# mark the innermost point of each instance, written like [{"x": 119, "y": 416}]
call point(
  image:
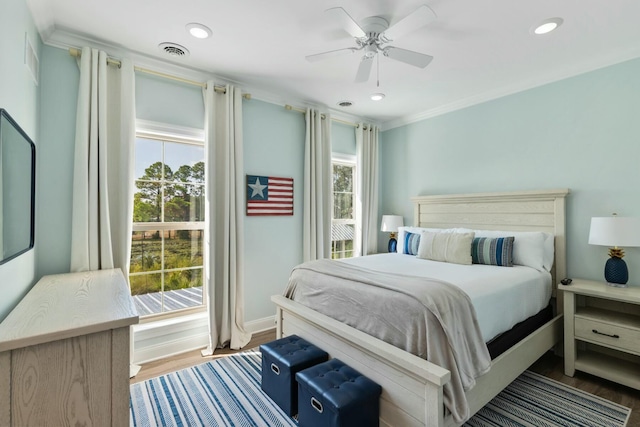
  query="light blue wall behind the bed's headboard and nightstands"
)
[{"x": 582, "y": 133}]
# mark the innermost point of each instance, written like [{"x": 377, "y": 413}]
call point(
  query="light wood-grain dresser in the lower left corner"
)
[{"x": 64, "y": 352}]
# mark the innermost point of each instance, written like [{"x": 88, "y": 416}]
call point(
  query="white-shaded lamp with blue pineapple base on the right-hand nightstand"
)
[{"x": 615, "y": 231}]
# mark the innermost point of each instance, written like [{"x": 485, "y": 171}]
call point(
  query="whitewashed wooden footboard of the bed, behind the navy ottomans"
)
[{"x": 411, "y": 386}]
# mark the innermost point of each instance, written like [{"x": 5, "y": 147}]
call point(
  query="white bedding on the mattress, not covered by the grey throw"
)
[{"x": 501, "y": 296}]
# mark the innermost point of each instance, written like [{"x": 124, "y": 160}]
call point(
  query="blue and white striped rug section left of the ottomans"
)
[{"x": 223, "y": 392}]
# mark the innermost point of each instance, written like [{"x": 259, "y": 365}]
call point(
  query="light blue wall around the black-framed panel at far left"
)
[{"x": 20, "y": 96}]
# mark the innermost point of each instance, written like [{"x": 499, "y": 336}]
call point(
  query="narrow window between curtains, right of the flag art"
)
[{"x": 343, "y": 221}]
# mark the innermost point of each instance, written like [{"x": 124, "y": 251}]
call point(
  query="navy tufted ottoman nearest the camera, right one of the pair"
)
[{"x": 334, "y": 394}]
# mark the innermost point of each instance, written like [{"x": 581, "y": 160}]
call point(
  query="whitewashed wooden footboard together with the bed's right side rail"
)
[{"x": 412, "y": 388}]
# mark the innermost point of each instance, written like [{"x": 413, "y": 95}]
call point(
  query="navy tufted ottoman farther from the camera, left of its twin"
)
[{"x": 281, "y": 359}]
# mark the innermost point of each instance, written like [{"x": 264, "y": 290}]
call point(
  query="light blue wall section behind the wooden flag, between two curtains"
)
[{"x": 273, "y": 146}]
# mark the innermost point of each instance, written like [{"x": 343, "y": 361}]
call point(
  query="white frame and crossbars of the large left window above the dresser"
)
[{"x": 176, "y": 134}]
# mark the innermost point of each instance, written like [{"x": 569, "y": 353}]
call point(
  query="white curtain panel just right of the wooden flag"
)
[{"x": 318, "y": 186}]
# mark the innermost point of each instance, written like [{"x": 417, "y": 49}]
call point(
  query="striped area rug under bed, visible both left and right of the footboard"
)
[{"x": 226, "y": 392}]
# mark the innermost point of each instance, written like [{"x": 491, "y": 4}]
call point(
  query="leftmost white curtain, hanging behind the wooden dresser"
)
[{"x": 102, "y": 186}]
